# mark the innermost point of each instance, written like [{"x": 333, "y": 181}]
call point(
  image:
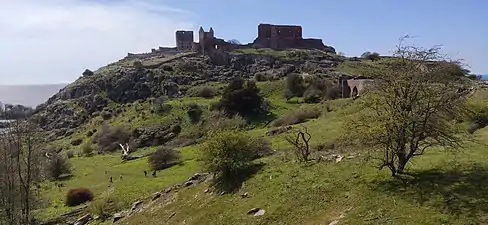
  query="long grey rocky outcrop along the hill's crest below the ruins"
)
[{"x": 122, "y": 82}]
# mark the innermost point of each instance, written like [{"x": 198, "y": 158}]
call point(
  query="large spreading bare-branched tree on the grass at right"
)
[{"x": 412, "y": 106}]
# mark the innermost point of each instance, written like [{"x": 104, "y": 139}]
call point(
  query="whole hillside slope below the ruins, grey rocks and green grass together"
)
[{"x": 337, "y": 187}]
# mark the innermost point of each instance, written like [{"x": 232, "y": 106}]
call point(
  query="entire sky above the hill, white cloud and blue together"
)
[{"x": 54, "y": 41}]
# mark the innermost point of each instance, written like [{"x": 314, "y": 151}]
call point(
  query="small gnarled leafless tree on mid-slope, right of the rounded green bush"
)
[{"x": 299, "y": 139}]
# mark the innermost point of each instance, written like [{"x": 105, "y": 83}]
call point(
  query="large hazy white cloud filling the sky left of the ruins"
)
[{"x": 53, "y": 41}]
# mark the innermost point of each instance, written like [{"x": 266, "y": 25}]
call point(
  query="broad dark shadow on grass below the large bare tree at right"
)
[{"x": 463, "y": 193}]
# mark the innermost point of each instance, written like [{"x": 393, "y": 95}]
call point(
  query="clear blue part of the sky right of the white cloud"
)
[{"x": 354, "y": 26}]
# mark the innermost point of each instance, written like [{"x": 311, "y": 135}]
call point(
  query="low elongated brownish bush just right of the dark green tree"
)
[{"x": 297, "y": 116}]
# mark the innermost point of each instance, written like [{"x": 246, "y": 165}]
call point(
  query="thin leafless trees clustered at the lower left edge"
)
[{"x": 20, "y": 171}]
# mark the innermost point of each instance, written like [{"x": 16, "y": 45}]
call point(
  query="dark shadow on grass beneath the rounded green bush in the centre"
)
[{"x": 231, "y": 183}]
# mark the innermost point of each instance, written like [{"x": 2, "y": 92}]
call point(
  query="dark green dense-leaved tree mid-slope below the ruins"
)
[{"x": 241, "y": 97}]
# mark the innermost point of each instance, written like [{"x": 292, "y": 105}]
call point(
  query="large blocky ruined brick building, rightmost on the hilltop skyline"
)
[{"x": 286, "y": 36}]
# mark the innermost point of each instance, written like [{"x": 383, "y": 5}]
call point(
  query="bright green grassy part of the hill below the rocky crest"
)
[{"x": 444, "y": 187}]
